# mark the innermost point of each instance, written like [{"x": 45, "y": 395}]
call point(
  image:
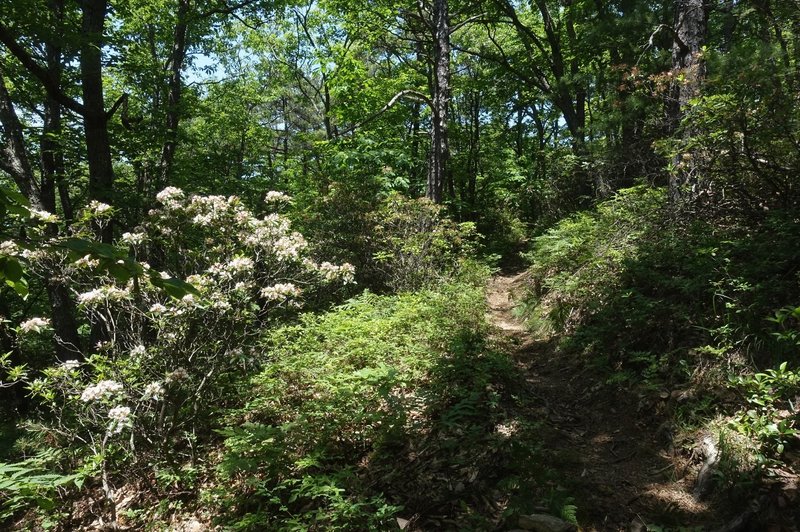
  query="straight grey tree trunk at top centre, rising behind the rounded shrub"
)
[{"x": 440, "y": 149}]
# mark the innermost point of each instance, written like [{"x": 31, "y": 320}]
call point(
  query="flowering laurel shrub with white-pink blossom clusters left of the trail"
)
[{"x": 168, "y": 354}]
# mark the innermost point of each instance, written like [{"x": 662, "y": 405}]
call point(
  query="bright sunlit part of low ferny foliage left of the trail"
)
[{"x": 339, "y": 387}]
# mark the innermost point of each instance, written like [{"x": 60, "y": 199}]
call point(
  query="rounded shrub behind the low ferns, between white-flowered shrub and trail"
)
[{"x": 395, "y": 242}]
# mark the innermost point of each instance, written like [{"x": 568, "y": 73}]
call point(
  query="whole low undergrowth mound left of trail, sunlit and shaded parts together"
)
[{"x": 387, "y": 407}]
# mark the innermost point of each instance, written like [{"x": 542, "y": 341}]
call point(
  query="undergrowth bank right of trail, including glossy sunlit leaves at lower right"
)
[{"x": 670, "y": 301}]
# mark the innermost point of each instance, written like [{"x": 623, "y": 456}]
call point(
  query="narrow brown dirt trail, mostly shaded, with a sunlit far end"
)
[{"x": 604, "y": 441}]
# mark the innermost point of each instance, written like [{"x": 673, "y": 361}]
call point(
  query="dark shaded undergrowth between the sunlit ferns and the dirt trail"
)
[{"x": 472, "y": 461}]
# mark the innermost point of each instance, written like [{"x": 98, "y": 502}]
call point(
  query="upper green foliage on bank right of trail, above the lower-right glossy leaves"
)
[{"x": 653, "y": 295}]
